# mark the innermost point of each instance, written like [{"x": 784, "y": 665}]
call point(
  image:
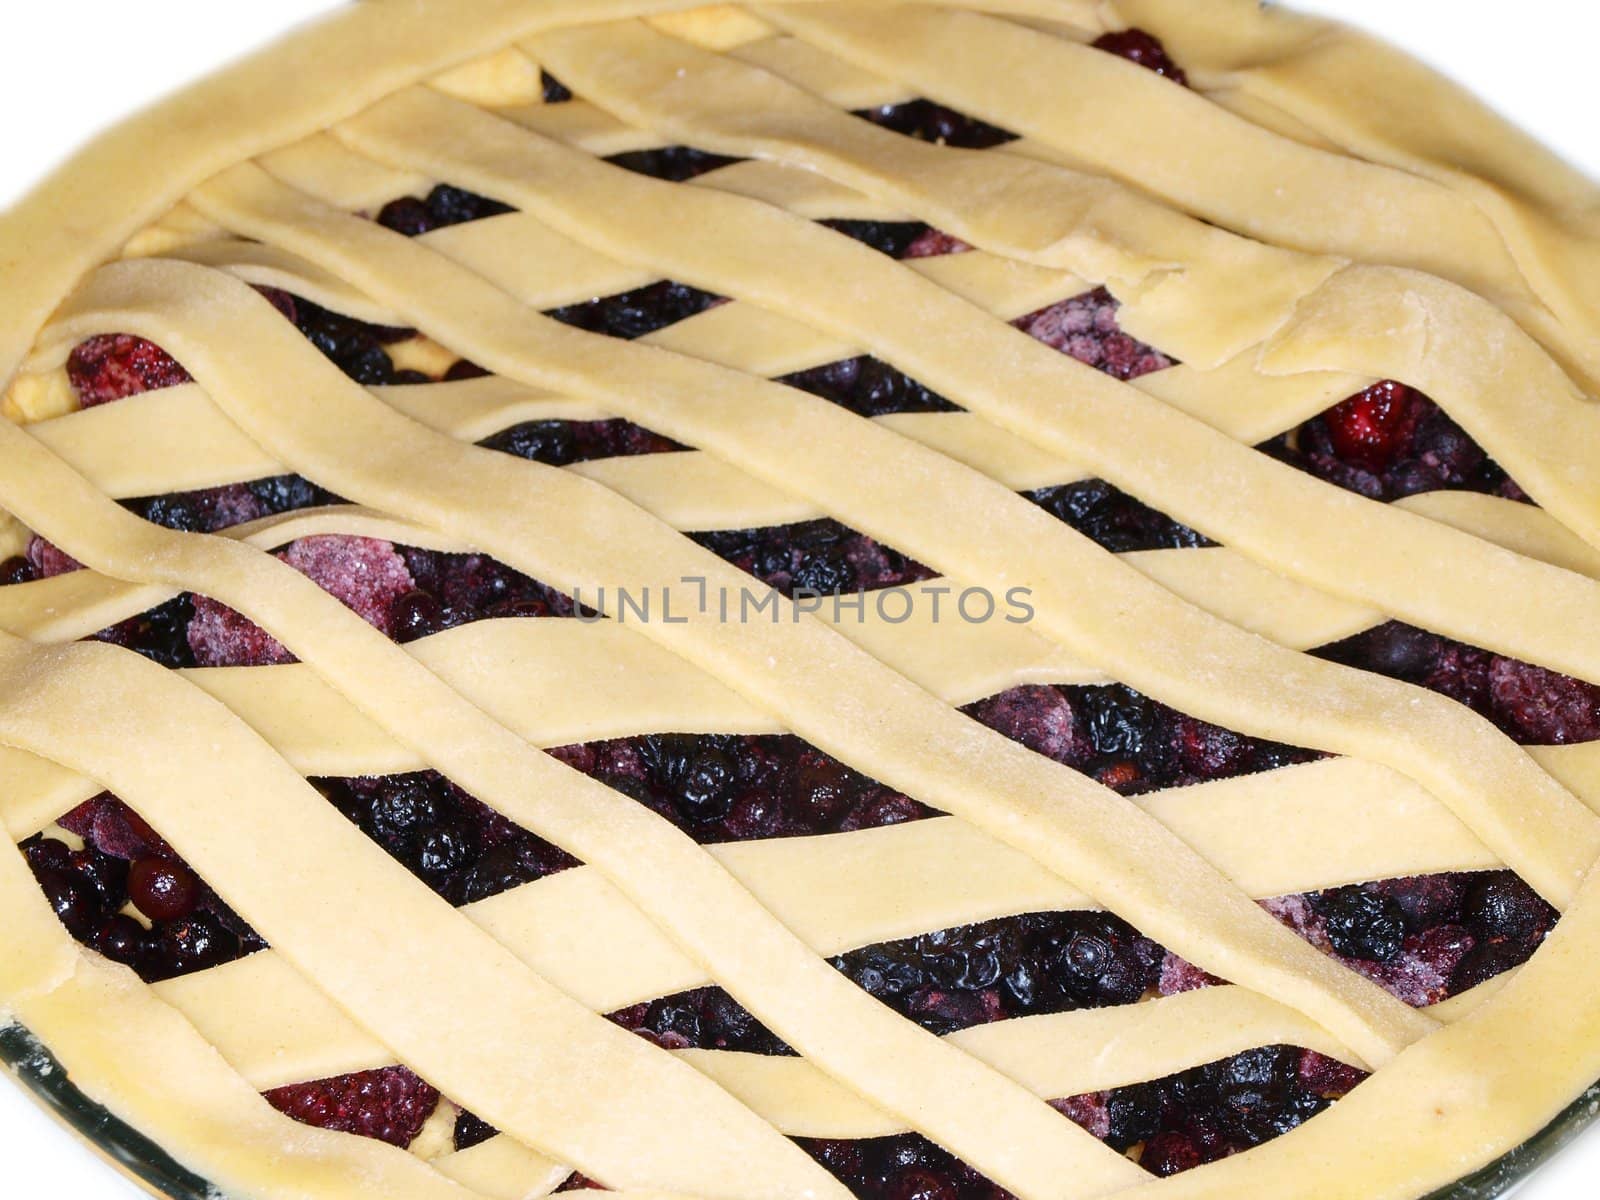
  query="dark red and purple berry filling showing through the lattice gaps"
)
[{"x": 1420, "y": 938}]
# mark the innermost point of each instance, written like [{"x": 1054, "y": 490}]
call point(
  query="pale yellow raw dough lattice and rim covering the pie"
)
[{"x": 1279, "y": 230}]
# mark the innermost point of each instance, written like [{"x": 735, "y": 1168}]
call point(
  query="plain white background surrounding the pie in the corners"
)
[{"x": 73, "y": 66}]
